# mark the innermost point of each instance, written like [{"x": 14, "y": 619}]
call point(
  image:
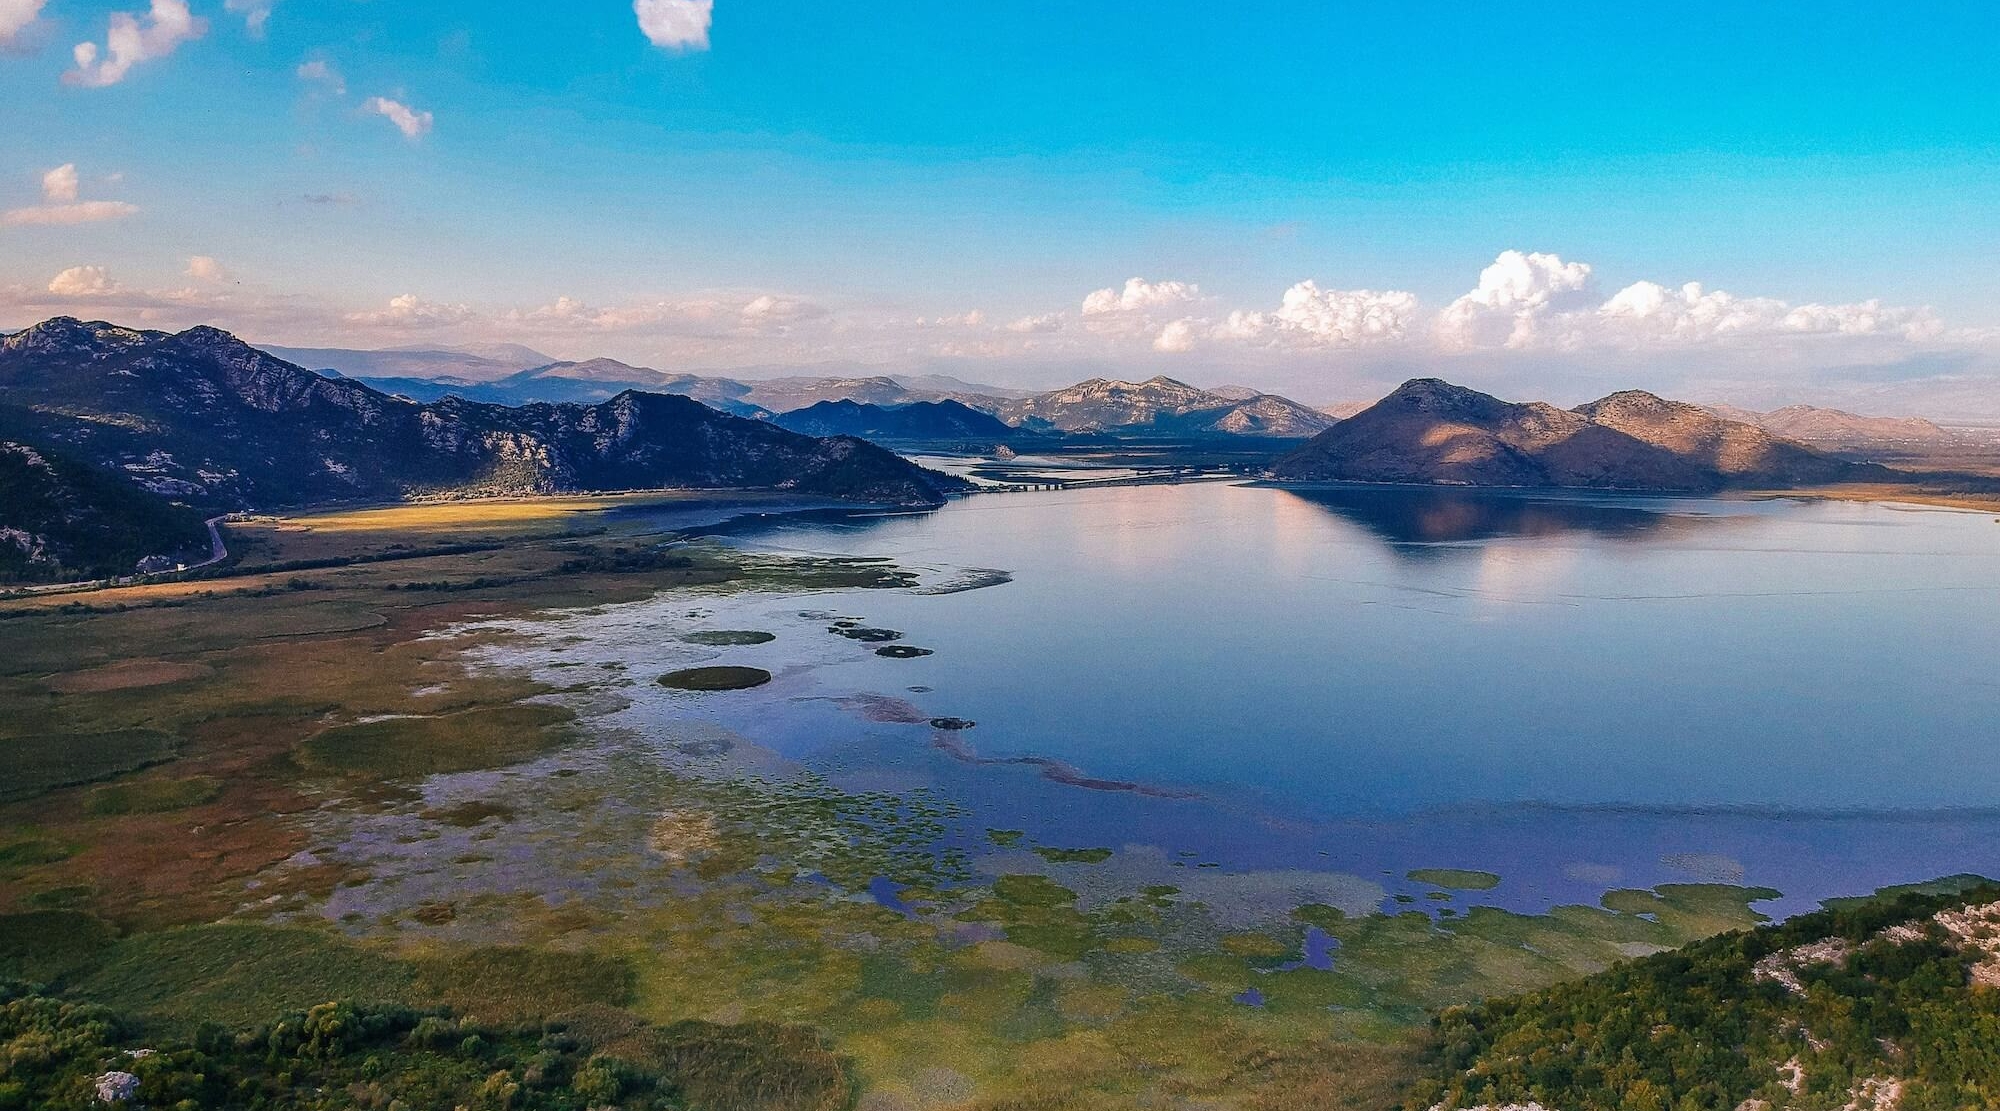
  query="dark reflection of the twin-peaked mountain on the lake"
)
[{"x": 1413, "y": 519}]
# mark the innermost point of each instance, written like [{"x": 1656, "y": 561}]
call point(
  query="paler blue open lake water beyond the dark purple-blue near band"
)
[{"x": 1403, "y": 648}]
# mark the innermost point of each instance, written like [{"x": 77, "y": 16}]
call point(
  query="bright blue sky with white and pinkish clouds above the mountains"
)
[{"x": 1757, "y": 203}]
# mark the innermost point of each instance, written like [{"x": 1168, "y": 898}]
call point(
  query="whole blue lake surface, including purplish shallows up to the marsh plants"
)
[{"x": 1571, "y": 690}]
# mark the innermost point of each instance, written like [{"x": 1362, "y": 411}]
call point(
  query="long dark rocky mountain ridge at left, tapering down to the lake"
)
[{"x": 209, "y": 421}]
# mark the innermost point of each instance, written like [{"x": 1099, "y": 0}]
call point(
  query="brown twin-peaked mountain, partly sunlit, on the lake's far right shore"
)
[{"x": 1435, "y": 433}]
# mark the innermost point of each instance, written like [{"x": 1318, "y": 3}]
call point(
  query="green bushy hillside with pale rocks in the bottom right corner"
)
[{"x": 1871, "y": 1006}]
